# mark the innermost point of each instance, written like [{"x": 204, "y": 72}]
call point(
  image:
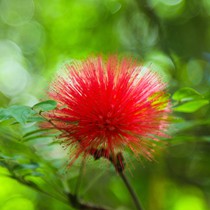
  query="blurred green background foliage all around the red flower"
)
[{"x": 37, "y": 37}]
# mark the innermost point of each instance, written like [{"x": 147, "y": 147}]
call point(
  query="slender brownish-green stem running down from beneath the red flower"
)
[{"x": 131, "y": 191}]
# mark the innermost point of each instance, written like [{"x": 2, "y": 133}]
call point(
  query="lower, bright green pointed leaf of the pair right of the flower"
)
[{"x": 191, "y": 106}]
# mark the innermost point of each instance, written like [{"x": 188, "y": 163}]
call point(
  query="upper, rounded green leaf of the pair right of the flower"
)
[{"x": 186, "y": 94}]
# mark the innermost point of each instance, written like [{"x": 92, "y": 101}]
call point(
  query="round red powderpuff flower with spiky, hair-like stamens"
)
[{"x": 110, "y": 105}]
